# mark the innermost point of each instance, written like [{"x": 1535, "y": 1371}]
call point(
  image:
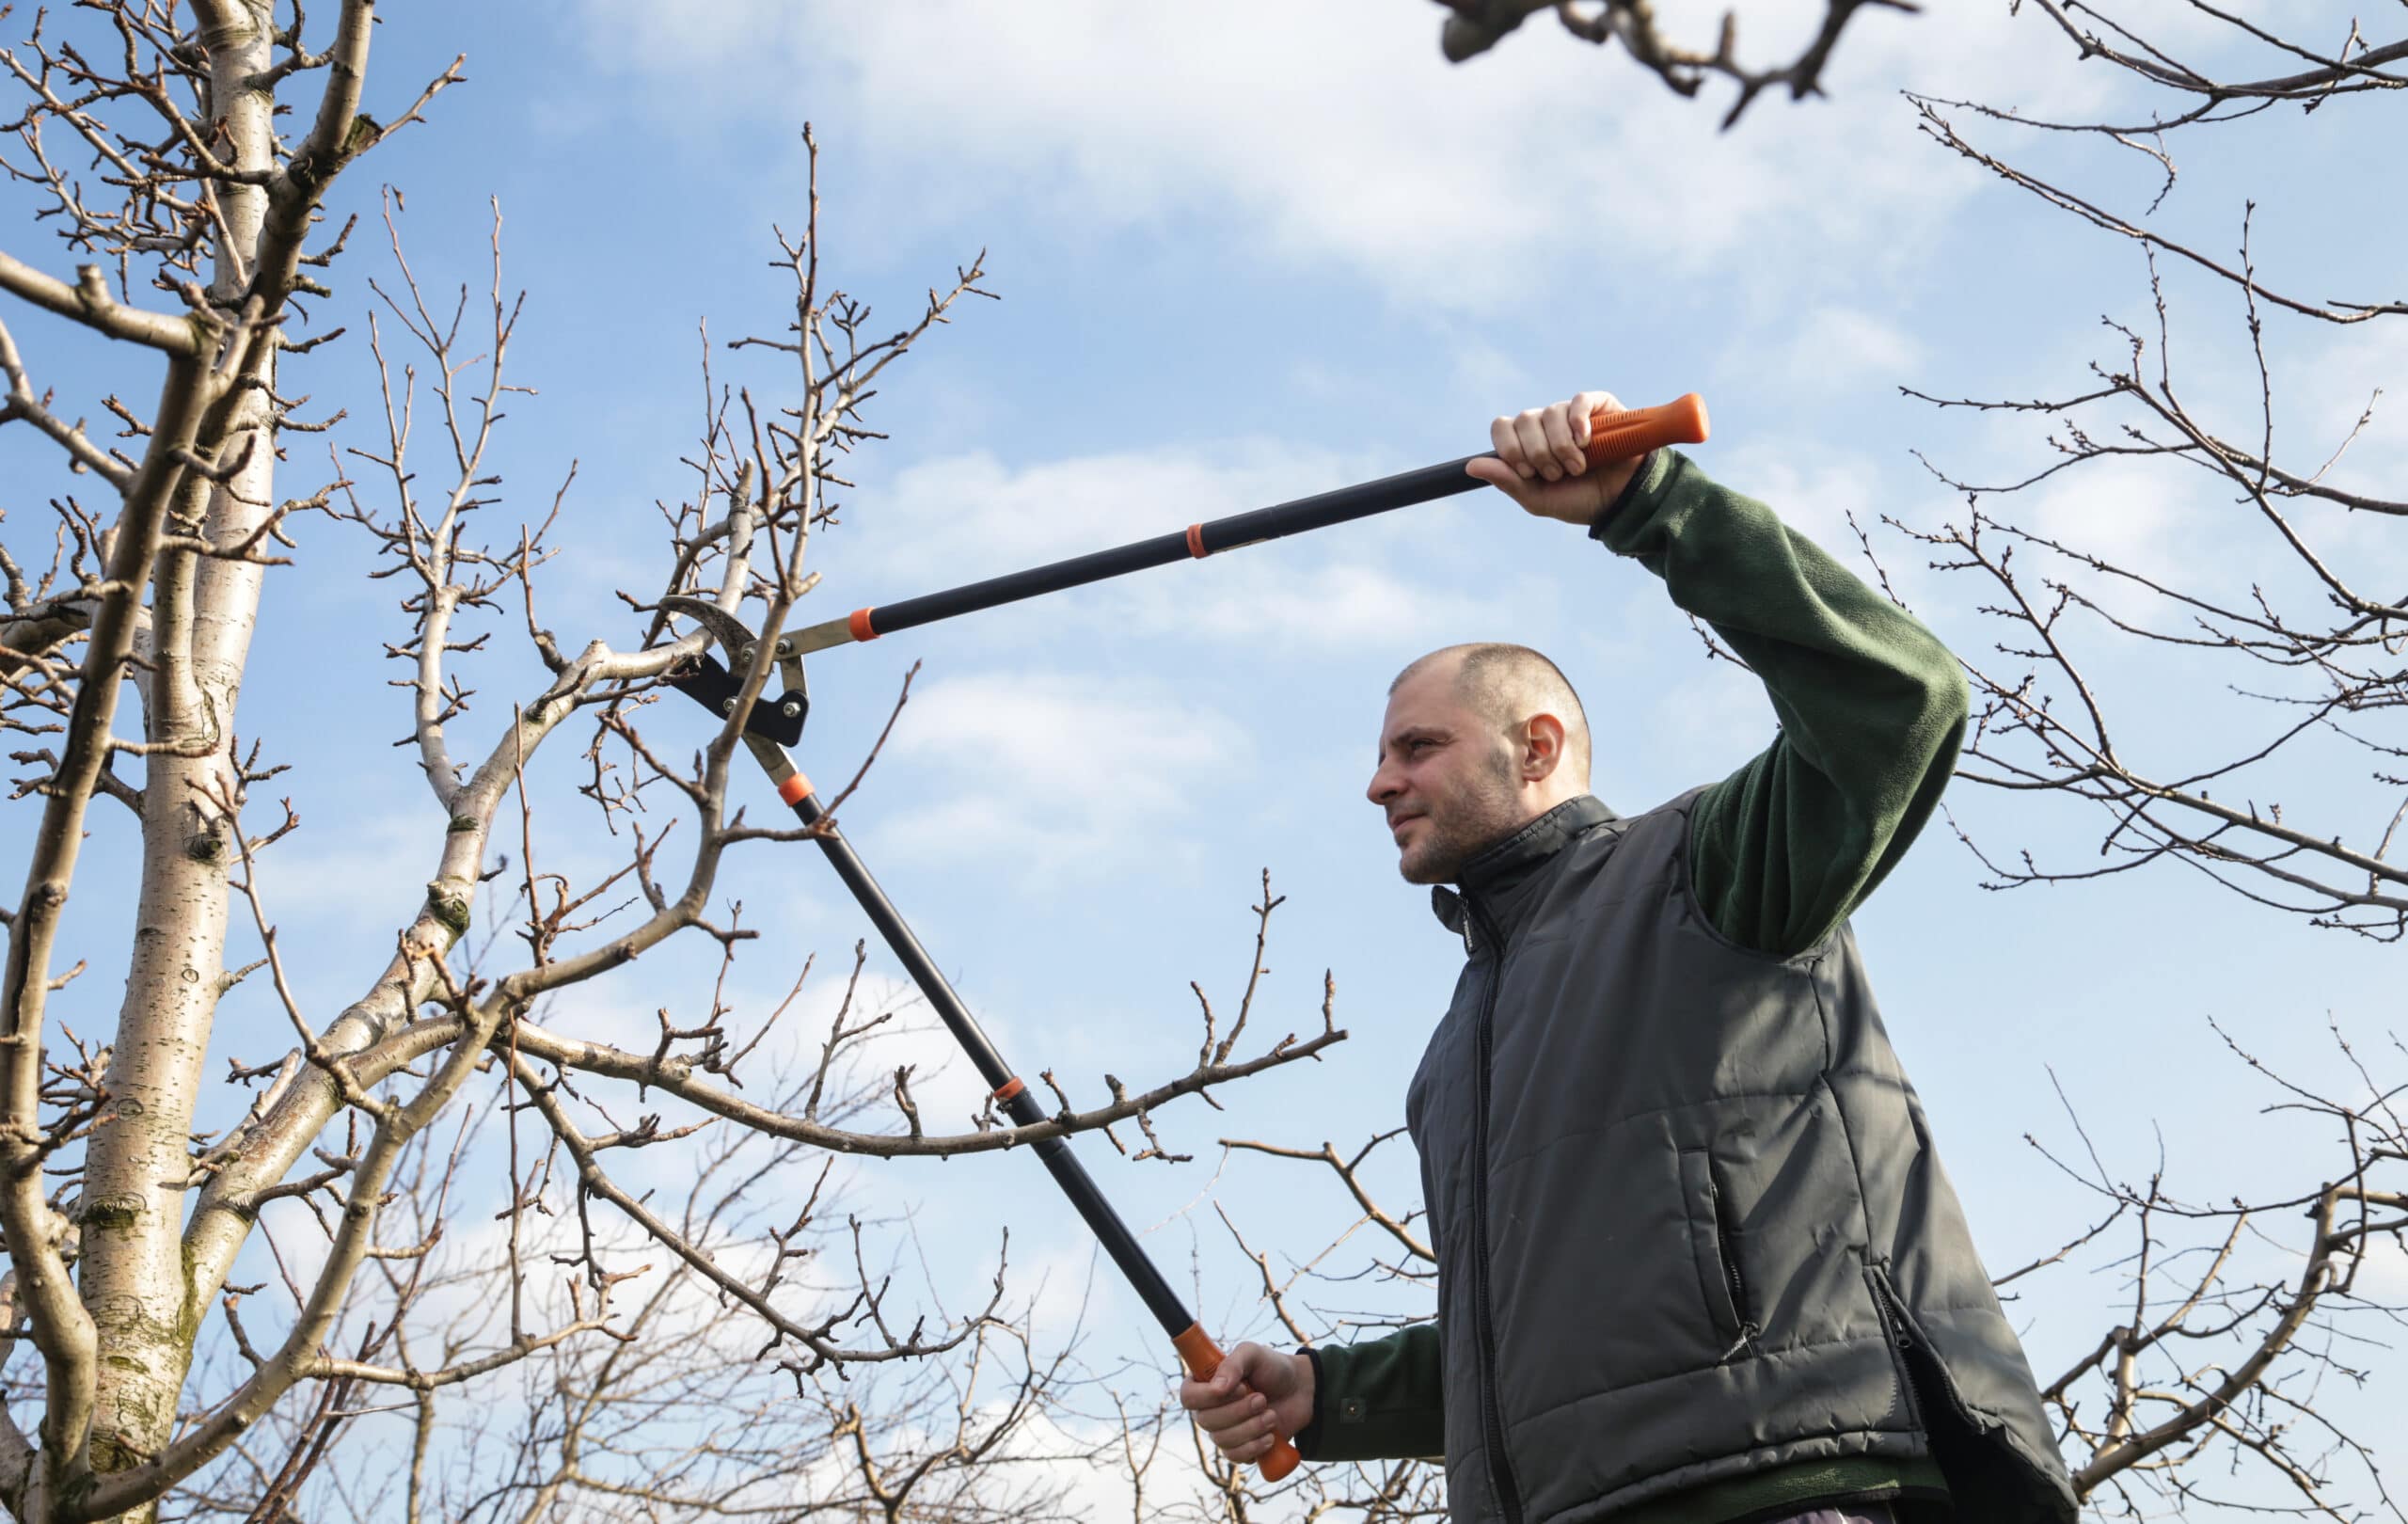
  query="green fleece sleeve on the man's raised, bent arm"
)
[{"x": 1872, "y": 709}]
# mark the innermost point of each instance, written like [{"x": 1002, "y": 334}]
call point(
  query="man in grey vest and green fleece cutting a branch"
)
[{"x": 1696, "y": 1258}]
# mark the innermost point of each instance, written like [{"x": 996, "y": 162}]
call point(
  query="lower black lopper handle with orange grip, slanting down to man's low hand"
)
[{"x": 1200, "y": 1354}]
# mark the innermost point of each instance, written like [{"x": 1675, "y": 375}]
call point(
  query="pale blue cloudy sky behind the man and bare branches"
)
[{"x": 1256, "y": 256}]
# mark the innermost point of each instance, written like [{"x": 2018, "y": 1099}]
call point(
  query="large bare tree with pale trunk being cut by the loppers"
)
[{"x": 201, "y": 230}]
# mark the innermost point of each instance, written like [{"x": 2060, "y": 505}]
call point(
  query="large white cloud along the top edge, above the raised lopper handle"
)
[{"x": 1338, "y": 134}]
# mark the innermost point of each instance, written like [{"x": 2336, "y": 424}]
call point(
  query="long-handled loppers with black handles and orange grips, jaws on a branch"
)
[{"x": 777, "y": 723}]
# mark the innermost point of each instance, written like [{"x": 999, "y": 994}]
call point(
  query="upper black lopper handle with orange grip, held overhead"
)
[{"x": 1612, "y": 437}]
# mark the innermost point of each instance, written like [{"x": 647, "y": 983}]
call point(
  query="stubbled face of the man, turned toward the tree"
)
[{"x": 1448, "y": 779}]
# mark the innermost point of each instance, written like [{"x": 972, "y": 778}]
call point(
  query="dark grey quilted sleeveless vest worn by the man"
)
[{"x": 1687, "y": 1212}]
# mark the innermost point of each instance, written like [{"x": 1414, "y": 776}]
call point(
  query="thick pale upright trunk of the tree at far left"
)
[{"x": 203, "y": 615}]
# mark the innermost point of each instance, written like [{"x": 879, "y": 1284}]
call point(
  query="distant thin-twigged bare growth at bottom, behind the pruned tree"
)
[{"x": 666, "y": 1412}]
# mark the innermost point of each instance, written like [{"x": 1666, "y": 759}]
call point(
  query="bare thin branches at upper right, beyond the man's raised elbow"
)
[{"x": 2313, "y": 651}]
